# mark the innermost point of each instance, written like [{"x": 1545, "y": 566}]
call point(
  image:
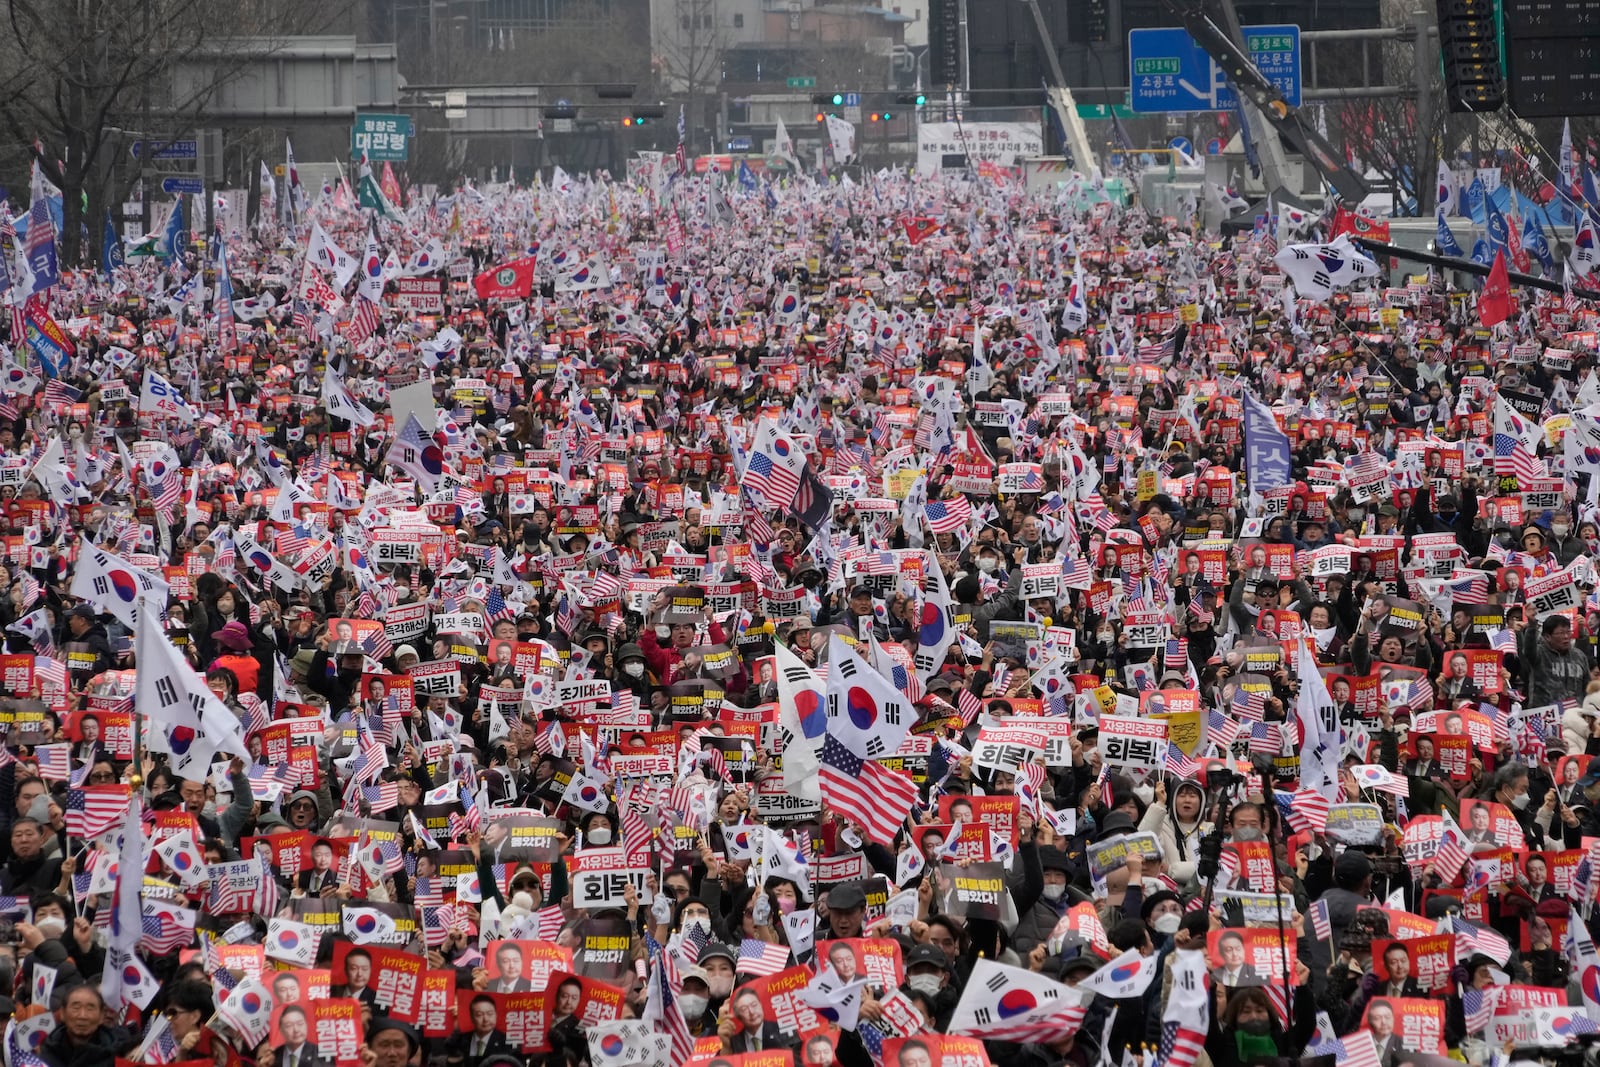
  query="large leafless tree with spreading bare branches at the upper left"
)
[{"x": 82, "y": 79}]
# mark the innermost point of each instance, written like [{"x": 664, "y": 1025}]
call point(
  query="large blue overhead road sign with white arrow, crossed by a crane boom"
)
[{"x": 1169, "y": 71}]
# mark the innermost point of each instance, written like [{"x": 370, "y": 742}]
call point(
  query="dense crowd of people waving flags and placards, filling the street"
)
[{"x": 910, "y": 621}]
